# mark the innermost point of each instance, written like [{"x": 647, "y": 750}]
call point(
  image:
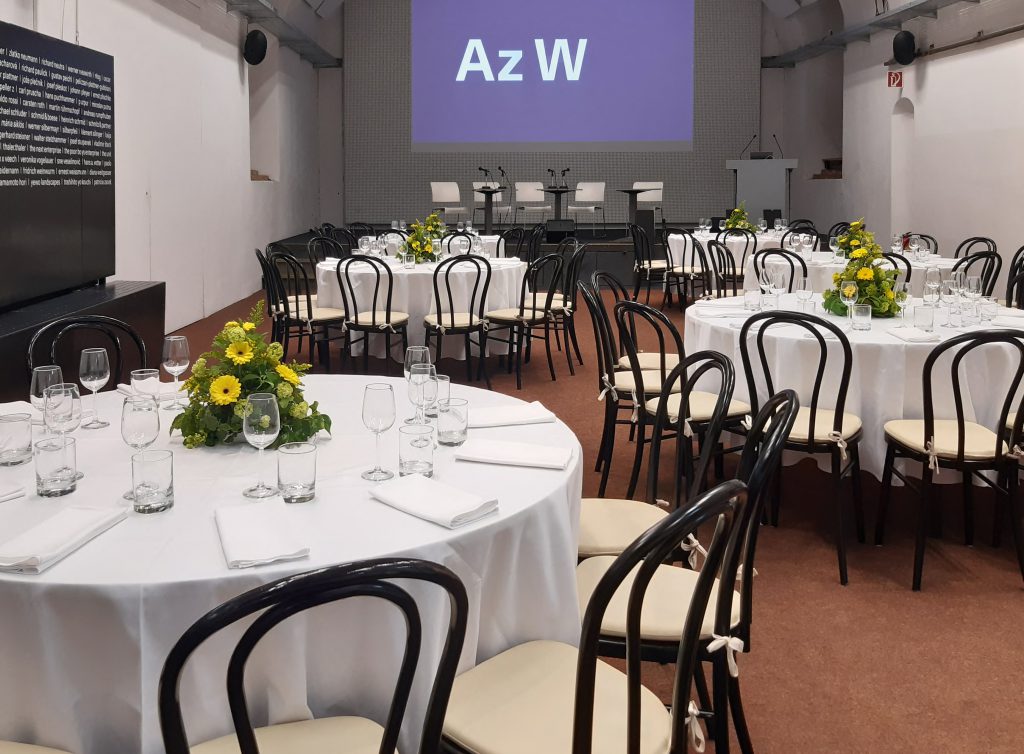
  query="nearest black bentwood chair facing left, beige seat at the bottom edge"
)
[{"x": 552, "y": 698}]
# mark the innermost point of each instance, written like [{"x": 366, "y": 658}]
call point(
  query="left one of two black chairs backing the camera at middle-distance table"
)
[{"x": 378, "y": 318}]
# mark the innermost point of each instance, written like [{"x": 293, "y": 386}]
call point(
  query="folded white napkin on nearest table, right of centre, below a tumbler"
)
[{"x": 434, "y": 501}]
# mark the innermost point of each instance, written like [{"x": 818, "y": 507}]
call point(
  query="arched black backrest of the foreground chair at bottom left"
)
[{"x": 273, "y": 604}]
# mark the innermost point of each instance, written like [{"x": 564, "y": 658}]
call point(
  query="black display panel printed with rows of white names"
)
[{"x": 57, "y": 165}]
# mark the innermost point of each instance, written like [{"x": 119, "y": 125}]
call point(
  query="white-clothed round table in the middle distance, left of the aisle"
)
[{"x": 414, "y": 295}]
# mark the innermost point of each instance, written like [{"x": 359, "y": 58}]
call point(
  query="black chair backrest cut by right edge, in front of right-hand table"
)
[{"x": 972, "y": 345}]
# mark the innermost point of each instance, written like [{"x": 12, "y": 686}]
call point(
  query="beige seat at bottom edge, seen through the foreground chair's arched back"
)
[{"x": 351, "y": 735}]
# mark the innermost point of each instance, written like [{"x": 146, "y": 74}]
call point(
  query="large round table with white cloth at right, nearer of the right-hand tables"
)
[{"x": 886, "y": 375}]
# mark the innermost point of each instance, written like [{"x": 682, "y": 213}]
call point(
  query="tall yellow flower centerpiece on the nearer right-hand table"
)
[{"x": 873, "y": 283}]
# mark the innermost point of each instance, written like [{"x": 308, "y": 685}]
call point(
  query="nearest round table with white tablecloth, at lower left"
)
[{"x": 84, "y": 643}]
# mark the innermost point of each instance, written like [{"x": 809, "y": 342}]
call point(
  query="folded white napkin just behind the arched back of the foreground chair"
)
[{"x": 258, "y": 534}]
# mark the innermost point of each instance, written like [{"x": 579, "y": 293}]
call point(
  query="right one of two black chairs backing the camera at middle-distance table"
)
[{"x": 457, "y": 315}]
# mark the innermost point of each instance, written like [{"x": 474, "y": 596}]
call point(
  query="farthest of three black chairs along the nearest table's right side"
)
[{"x": 608, "y": 526}]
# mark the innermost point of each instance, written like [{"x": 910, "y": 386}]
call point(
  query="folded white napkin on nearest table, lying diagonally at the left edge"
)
[{"x": 53, "y": 540}]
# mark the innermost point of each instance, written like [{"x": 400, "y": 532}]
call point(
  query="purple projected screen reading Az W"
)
[{"x": 552, "y": 75}]
